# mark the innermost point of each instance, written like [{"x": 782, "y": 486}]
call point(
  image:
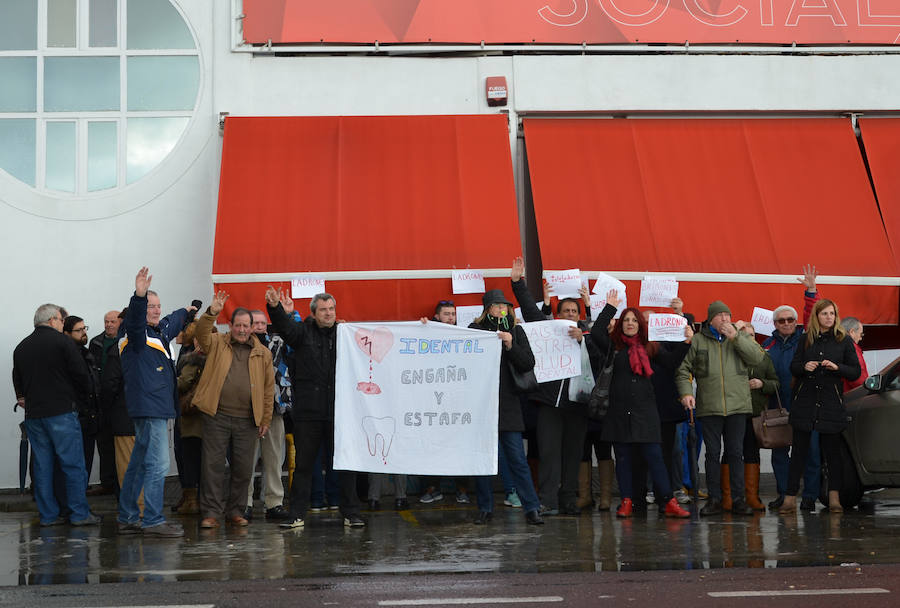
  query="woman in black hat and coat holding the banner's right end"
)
[{"x": 499, "y": 317}]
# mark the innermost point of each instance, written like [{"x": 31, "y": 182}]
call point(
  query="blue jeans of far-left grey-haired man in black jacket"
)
[{"x": 58, "y": 438}]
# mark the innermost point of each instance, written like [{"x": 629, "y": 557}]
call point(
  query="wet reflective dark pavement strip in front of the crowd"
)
[{"x": 434, "y": 539}]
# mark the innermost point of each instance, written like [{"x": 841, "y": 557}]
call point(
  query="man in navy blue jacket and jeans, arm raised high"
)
[{"x": 151, "y": 398}]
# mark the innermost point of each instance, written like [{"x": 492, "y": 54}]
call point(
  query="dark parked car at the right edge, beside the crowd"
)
[{"x": 871, "y": 447}]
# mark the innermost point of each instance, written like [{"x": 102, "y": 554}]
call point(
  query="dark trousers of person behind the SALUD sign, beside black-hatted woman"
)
[{"x": 560, "y": 433}]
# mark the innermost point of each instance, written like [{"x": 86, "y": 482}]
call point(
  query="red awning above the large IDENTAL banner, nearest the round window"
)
[{"x": 366, "y": 195}]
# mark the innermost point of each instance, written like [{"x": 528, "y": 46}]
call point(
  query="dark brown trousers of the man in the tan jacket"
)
[{"x": 218, "y": 431}]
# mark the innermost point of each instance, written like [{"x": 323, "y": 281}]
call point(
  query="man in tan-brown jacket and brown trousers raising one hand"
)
[{"x": 235, "y": 395}]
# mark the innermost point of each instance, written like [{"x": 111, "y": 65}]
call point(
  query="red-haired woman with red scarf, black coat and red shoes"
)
[{"x": 632, "y": 422}]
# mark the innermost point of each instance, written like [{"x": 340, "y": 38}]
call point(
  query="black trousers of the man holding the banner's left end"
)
[{"x": 309, "y": 436}]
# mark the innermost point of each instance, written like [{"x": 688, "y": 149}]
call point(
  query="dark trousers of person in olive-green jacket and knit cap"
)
[{"x": 732, "y": 429}]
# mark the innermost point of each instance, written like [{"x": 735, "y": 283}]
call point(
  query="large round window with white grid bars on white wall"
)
[{"x": 96, "y": 93}]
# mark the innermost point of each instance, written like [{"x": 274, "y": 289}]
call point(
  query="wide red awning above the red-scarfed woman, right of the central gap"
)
[{"x": 717, "y": 202}]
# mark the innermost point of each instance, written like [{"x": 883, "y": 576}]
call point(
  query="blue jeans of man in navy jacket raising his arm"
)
[{"x": 146, "y": 471}]
